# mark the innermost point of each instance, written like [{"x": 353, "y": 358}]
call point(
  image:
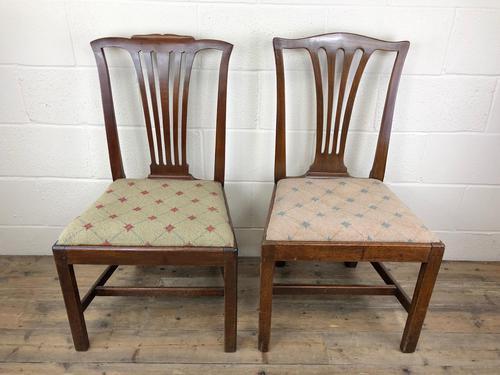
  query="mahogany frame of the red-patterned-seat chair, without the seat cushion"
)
[{"x": 168, "y": 160}]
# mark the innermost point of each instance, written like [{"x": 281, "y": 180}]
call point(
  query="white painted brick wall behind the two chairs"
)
[{"x": 445, "y": 148}]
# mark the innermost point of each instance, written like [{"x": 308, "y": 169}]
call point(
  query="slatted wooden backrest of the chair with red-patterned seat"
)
[{"x": 163, "y": 64}]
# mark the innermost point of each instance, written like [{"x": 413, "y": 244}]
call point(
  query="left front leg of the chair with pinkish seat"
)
[{"x": 267, "y": 265}]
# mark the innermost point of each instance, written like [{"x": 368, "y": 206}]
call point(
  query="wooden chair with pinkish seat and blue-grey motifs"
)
[{"x": 327, "y": 215}]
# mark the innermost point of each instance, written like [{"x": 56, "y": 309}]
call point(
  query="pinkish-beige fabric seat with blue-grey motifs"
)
[{"x": 342, "y": 209}]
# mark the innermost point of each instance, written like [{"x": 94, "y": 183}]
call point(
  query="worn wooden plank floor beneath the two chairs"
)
[{"x": 311, "y": 335}]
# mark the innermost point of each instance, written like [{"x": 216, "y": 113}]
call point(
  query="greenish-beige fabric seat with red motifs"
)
[{"x": 154, "y": 212}]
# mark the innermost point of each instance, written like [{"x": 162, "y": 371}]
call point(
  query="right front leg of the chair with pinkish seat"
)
[{"x": 420, "y": 301}]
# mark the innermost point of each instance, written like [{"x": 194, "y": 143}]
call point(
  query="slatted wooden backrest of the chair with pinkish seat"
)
[{"x": 331, "y": 140}]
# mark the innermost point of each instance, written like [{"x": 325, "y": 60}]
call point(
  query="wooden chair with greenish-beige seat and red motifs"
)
[{"x": 170, "y": 218}]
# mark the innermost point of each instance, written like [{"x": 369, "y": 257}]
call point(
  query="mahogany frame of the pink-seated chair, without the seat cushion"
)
[{"x": 331, "y": 164}]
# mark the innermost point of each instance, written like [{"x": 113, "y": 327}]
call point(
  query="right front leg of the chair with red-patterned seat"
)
[{"x": 230, "y": 299}]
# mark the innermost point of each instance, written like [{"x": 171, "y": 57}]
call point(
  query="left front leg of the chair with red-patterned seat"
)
[{"x": 72, "y": 301}]
